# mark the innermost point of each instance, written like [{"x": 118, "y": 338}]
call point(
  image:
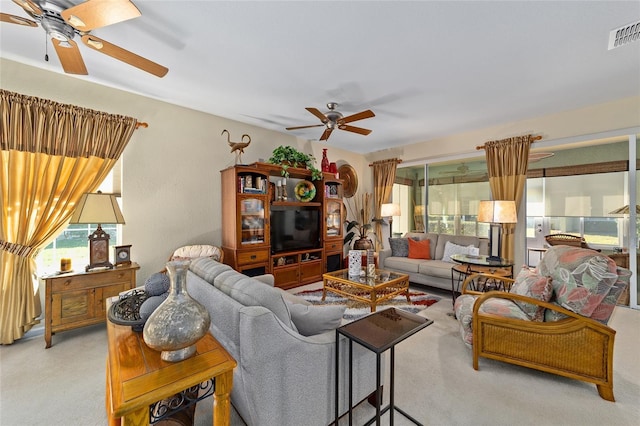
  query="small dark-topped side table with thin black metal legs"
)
[{"x": 378, "y": 332}]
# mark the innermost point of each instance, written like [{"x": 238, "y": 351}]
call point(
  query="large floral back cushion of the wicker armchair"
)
[{"x": 582, "y": 278}]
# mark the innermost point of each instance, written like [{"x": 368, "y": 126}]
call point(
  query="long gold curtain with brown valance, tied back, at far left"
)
[{"x": 51, "y": 154}]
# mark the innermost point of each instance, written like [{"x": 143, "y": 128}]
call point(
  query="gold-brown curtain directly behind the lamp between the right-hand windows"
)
[{"x": 507, "y": 162}]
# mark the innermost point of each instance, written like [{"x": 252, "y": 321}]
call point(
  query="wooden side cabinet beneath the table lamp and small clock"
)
[{"x": 77, "y": 299}]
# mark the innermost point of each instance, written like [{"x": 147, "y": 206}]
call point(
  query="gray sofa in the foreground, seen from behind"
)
[{"x": 283, "y": 377}]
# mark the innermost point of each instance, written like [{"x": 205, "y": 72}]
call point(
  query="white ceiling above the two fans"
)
[{"x": 426, "y": 68}]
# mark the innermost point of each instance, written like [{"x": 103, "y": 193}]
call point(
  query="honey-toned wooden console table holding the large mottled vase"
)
[{"x": 138, "y": 378}]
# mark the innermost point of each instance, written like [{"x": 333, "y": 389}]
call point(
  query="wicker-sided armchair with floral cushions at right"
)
[{"x": 553, "y": 318}]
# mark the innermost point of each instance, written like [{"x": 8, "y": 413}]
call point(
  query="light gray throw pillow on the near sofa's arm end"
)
[{"x": 312, "y": 319}]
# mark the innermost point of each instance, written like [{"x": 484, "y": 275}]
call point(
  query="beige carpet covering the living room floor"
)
[{"x": 64, "y": 385}]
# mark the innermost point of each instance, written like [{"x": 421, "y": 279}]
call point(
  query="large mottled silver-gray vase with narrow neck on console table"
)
[{"x": 179, "y": 322}]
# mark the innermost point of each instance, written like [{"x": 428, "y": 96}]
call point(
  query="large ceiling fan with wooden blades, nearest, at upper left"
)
[{"x": 63, "y": 20}]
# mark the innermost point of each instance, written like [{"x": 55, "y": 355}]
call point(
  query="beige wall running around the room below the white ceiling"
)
[{"x": 171, "y": 184}]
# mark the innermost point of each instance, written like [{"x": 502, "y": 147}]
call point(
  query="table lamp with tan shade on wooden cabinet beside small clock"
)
[{"x": 98, "y": 208}]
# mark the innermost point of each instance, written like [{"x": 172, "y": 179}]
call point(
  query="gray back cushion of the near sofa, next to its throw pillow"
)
[{"x": 251, "y": 292}]
